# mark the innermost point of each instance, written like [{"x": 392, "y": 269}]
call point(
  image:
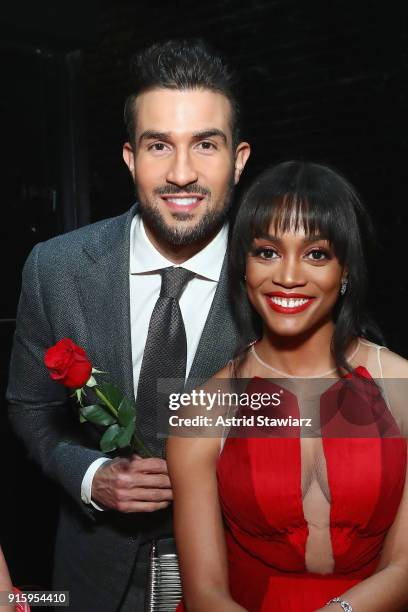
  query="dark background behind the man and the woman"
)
[{"x": 323, "y": 81}]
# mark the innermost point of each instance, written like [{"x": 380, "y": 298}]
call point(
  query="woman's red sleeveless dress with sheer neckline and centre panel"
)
[{"x": 306, "y": 511}]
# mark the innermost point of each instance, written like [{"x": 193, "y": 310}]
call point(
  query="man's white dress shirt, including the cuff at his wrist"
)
[{"x": 145, "y": 283}]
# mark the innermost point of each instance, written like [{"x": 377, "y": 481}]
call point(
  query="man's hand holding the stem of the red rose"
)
[{"x": 132, "y": 485}]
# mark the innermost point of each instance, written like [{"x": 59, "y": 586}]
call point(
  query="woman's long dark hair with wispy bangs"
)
[{"x": 299, "y": 195}]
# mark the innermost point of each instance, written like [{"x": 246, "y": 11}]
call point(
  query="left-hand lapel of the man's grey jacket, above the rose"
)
[{"x": 104, "y": 291}]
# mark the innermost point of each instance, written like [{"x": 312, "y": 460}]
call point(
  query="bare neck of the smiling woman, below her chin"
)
[{"x": 306, "y": 355}]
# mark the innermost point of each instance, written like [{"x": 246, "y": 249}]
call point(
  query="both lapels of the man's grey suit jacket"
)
[{"x": 104, "y": 292}]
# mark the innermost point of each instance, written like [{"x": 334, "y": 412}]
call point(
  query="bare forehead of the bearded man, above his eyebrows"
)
[{"x": 182, "y": 111}]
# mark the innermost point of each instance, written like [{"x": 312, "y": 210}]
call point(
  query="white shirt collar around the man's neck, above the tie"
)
[{"x": 144, "y": 257}]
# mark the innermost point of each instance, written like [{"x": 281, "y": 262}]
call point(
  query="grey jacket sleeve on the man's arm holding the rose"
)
[{"x": 39, "y": 411}]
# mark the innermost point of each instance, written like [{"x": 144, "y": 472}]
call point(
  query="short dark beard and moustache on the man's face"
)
[{"x": 207, "y": 227}]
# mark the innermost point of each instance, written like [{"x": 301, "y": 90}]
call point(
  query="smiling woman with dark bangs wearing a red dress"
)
[{"x": 289, "y": 522}]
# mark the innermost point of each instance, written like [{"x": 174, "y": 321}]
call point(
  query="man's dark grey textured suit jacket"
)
[{"x": 77, "y": 286}]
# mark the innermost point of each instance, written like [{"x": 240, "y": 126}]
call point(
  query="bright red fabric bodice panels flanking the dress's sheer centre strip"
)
[{"x": 260, "y": 476}]
